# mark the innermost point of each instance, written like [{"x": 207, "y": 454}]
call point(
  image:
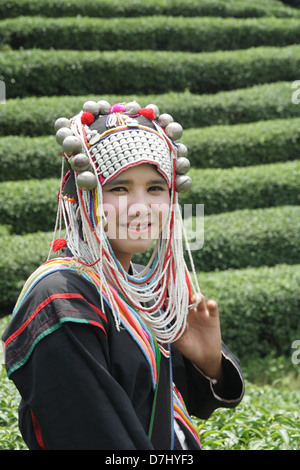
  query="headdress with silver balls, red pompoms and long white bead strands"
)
[{"x": 99, "y": 143}]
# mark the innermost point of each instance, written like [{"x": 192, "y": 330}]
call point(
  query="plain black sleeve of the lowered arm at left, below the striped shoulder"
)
[{"x": 76, "y": 402}]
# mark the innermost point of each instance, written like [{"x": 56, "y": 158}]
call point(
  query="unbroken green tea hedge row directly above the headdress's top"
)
[{"x": 40, "y": 72}]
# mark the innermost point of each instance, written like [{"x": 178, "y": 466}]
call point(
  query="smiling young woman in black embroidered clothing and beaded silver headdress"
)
[{"x": 105, "y": 353}]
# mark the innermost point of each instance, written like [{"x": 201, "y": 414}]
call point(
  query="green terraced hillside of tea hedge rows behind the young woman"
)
[{"x": 227, "y": 71}]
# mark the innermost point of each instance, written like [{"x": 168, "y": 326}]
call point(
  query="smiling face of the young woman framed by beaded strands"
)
[{"x": 136, "y": 204}]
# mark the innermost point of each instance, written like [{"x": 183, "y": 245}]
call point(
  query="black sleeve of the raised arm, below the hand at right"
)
[{"x": 201, "y": 395}]
